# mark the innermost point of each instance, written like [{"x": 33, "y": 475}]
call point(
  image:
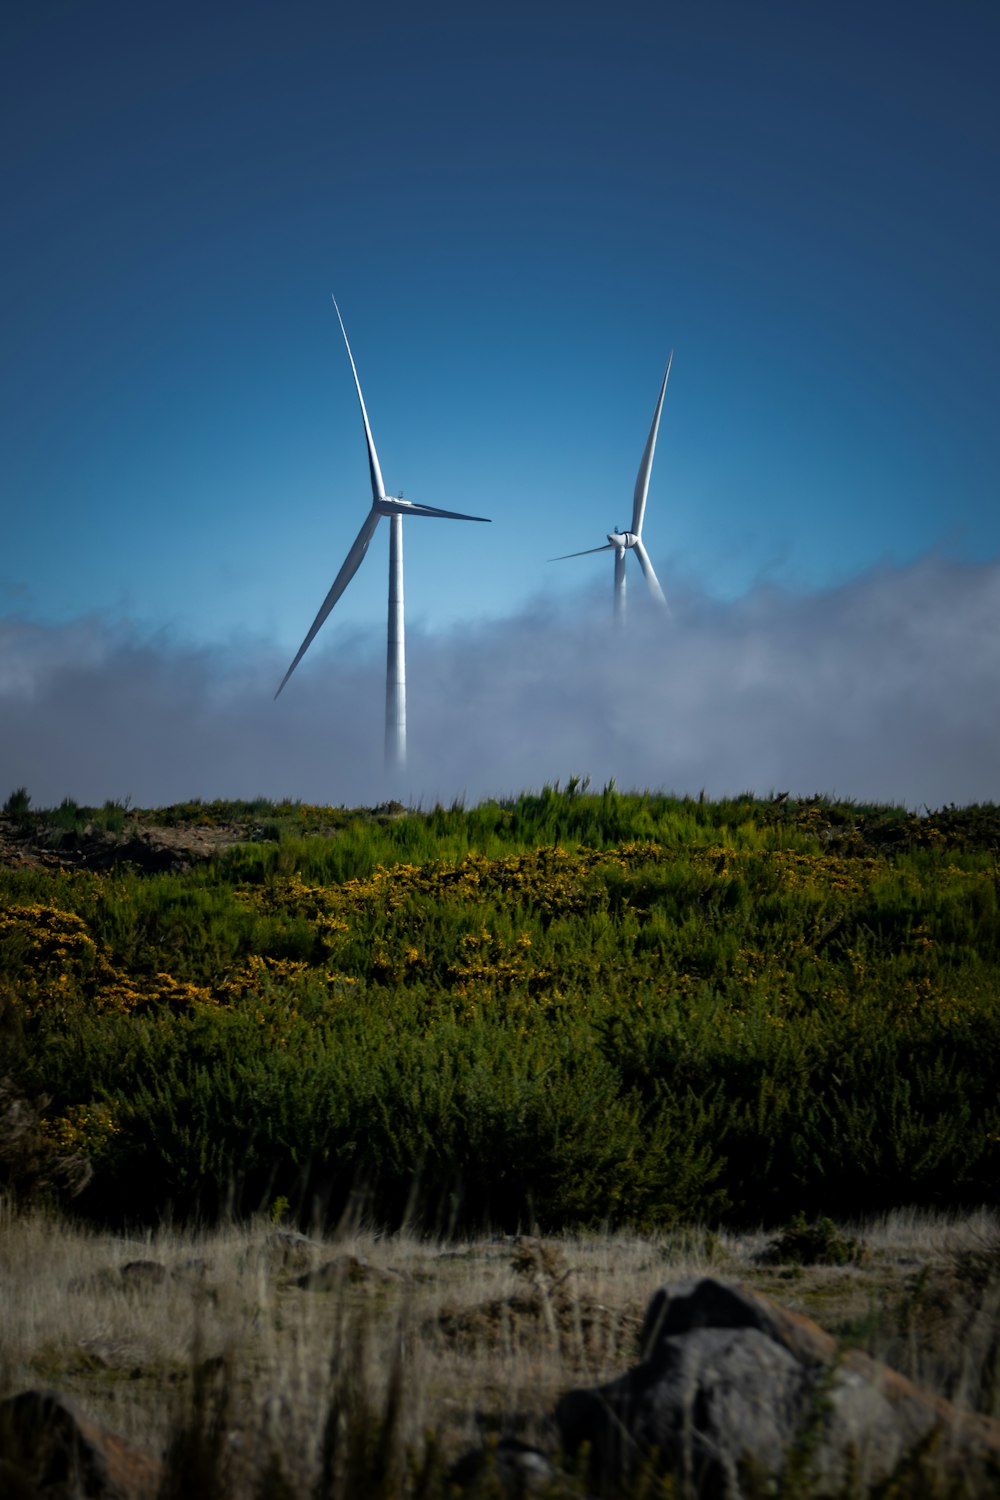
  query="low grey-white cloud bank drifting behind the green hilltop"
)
[{"x": 885, "y": 689}]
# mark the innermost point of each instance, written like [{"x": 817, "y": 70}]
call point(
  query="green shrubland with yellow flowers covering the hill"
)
[{"x": 567, "y": 1010}]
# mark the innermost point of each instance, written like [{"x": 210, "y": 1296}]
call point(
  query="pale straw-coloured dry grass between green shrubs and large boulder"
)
[{"x": 482, "y": 1337}]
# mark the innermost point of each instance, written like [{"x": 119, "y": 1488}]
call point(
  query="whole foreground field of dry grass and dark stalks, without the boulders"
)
[{"x": 254, "y": 1376}]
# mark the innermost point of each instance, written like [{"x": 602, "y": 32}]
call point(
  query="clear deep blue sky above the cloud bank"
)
[{"x": 521, "y": 211}]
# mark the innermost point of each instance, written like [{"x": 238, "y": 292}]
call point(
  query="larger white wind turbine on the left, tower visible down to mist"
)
[{"x": 395, "y": 508}]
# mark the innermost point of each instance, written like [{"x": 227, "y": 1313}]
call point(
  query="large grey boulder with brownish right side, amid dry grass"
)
[{"x": 735, "y": 1391}]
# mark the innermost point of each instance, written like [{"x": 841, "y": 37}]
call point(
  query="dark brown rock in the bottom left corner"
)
[{"x": 50, "y": 1453}]
